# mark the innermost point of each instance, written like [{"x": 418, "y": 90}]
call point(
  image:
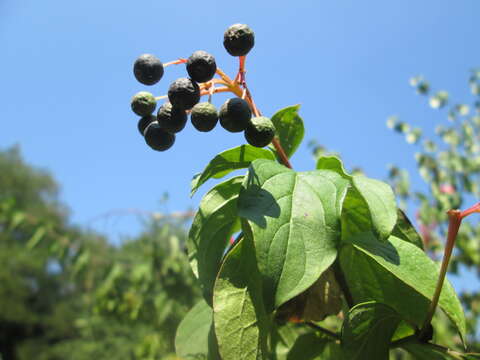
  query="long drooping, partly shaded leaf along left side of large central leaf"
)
[{"x": 212, "y": 226}]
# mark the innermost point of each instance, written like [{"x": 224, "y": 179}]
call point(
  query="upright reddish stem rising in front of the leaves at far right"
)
[{"x": 454, "y": 221}]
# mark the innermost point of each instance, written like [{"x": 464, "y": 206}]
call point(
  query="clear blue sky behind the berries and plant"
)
[{"x": 66, "y": 83}]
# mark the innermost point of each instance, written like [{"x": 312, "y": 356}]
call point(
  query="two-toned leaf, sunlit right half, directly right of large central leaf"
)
[{"x": 369, "y": 204}]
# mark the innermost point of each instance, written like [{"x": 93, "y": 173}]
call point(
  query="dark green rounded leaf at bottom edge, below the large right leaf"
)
[{"x": 367, "y": 330}]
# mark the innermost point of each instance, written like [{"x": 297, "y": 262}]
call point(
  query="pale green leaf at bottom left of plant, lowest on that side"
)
[{"x": 194, "y": 334}]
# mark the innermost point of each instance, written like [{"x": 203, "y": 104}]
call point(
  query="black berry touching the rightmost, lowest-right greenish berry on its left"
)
[{"x": 235, "y": 115}]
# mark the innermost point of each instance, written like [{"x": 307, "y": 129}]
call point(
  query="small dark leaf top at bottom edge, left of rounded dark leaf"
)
[{"x": 313, "y": 347}]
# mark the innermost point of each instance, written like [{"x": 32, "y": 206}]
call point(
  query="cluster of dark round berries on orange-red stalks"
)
[{"x": 184, "y": 95}]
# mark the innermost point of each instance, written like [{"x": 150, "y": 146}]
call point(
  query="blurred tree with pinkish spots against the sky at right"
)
[{"x": 449, "y": 163}]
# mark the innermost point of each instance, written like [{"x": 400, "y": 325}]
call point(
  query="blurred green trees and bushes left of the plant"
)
[{"x": 66, "y": 293}]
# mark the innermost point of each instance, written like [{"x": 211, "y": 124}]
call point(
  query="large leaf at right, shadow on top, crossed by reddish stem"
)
[{"x": 399, "y": 274}]
